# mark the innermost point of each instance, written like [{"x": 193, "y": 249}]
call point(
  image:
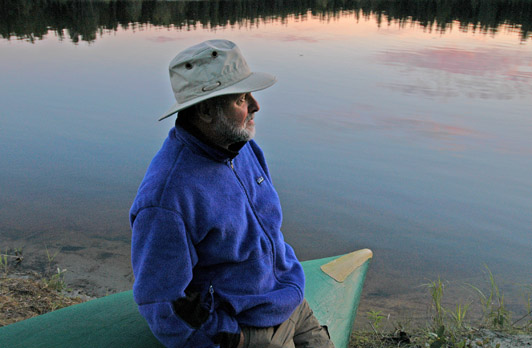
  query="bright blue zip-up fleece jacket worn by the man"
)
[{"x": 207, "y": 250}]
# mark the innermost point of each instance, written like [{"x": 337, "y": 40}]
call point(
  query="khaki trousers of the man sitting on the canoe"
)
[{"x": 301, "y": 330}]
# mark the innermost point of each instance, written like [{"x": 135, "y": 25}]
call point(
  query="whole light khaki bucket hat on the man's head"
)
[{"x": 210, "y": 69}]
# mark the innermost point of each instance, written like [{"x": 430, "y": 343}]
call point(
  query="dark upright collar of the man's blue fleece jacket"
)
[{"x": 194, "y": 138}]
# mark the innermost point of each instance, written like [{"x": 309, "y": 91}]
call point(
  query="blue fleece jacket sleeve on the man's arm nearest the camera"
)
[{"x": 163, "y": 257}]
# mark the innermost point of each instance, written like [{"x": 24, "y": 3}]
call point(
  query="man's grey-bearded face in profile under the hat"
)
[{"x": 235, "y": 118}]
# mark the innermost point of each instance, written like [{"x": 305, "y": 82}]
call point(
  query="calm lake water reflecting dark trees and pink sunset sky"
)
[{"x": 404, "y": 129}]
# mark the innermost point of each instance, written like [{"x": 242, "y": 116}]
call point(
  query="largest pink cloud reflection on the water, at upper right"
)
[{"x": 507, "y": 70}]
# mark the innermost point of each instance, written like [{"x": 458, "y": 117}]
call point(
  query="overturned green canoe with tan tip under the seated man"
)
[{"x": 333, "y": 289}]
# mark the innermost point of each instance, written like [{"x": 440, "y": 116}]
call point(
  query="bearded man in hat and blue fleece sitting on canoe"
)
[{"x": 210, "y": 262}]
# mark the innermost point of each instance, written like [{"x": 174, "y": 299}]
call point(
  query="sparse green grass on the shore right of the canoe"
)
[{"x": 451, "y": 326}]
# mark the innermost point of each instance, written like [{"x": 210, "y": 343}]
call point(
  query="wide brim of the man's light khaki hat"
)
[{"x": 254, "y": 82}]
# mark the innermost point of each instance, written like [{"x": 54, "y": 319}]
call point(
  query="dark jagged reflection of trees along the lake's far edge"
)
[{"x": 84, "y": 19}]
